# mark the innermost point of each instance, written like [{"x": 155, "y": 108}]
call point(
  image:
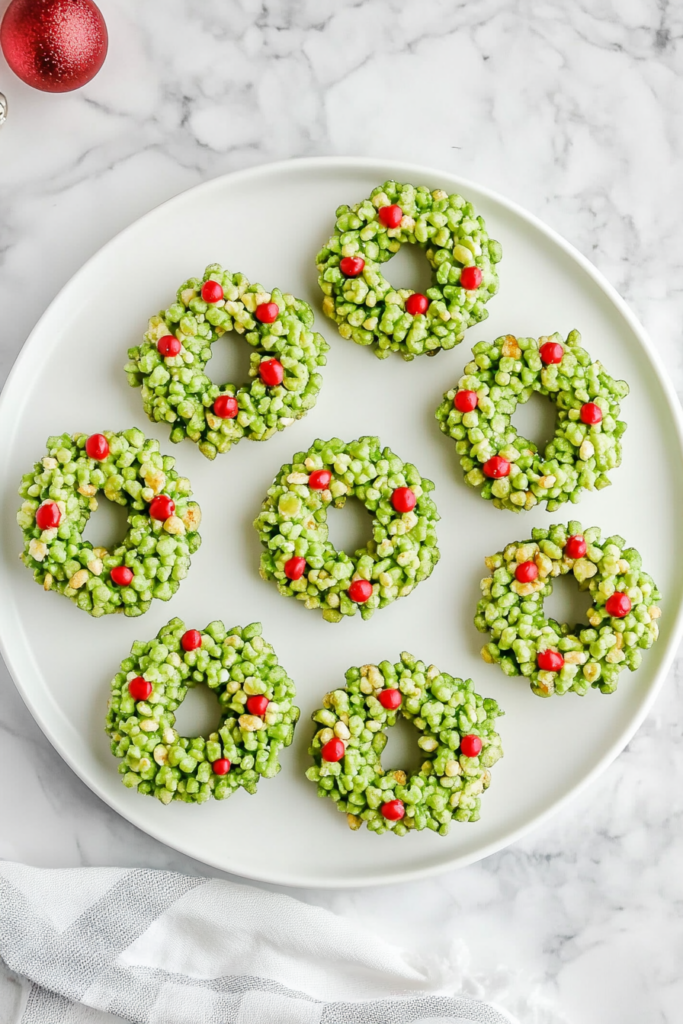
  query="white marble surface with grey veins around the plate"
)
[{"x": 573, "y": 109}]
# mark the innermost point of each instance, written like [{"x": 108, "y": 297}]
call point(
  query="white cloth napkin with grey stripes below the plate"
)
[{"x": 96, "y": 946}]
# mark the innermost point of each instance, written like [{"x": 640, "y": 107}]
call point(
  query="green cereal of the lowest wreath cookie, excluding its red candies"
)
[{"x": 448, "y": 786}]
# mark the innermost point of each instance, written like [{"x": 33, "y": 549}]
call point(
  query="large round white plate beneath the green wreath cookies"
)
[{"x": 270, "y": 223}]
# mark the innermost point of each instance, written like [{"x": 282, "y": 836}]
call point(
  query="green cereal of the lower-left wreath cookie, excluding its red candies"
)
[{"x": 235, "y": 664}]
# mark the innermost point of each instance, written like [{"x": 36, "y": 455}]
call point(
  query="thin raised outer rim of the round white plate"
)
[{"x": 412, "y": 172}]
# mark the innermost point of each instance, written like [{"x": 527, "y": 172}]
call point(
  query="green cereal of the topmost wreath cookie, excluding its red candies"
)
[{"x": 369, "y": 311}]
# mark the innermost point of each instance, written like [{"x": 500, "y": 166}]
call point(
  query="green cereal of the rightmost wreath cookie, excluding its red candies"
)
[{"x": 594, "y": 655}]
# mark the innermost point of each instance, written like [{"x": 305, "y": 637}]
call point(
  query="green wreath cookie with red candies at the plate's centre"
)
[{"x": 293, "y": 529}]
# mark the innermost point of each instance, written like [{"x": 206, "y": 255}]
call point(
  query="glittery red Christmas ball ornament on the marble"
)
[{"x": 55, "y": 46}]
